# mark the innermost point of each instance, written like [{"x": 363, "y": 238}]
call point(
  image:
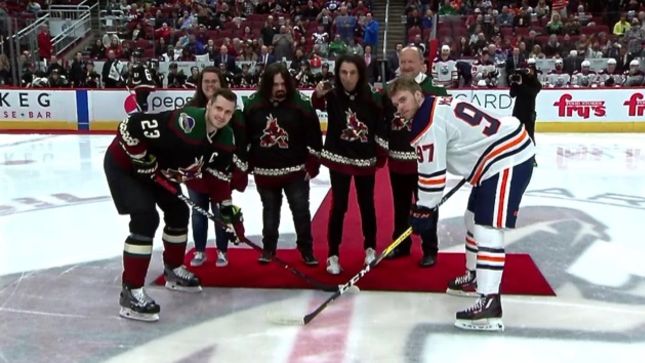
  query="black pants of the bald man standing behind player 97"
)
[{"x": 404, "y": 189}]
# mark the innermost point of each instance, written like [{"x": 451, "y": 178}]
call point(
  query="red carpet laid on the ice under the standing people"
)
[{"x": 521, "y": 275}]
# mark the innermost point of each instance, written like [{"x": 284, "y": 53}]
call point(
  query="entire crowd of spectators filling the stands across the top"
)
[{"x": 486, "y": 40}]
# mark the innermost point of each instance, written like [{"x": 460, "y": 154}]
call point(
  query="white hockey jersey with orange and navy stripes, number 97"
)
[{"x": 452, "y": 135}]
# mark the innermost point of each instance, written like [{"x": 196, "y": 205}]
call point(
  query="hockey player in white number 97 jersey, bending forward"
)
[{"x": 495, "y": 155}]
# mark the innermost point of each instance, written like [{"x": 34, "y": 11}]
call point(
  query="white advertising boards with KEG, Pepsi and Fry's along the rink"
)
[{"x": 562, "y": 110}]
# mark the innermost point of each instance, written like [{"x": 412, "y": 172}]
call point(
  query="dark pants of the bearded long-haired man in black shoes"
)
[{"x": 297, "y": 193}]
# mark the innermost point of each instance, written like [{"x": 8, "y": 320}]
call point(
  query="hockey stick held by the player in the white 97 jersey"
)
[{"x": 344, "y": 288}]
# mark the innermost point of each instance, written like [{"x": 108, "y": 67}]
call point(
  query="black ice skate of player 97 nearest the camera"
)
[{"x": 485, "y": 315}]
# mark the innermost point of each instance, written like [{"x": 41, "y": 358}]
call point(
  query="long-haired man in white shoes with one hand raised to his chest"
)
[{"x": 354, "y": 147}]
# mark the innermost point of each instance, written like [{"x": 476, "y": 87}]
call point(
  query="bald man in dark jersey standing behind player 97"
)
[{"x": 402, "y": 160}]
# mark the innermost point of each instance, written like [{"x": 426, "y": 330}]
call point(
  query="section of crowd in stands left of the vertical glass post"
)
[{"x": 240, "y": 36}]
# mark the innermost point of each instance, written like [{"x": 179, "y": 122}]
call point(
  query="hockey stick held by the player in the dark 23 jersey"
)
[{"x": 317, "y": 284}]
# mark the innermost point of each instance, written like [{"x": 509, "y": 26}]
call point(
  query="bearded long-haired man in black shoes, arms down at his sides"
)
[{"x": 284, "y": 145}]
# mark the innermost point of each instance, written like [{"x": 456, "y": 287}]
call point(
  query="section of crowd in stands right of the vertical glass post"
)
[{"x": 496, "y": 38}]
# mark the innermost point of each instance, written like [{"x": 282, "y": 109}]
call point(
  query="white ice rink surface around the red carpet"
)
[{"x": 60, "y": 265}]
